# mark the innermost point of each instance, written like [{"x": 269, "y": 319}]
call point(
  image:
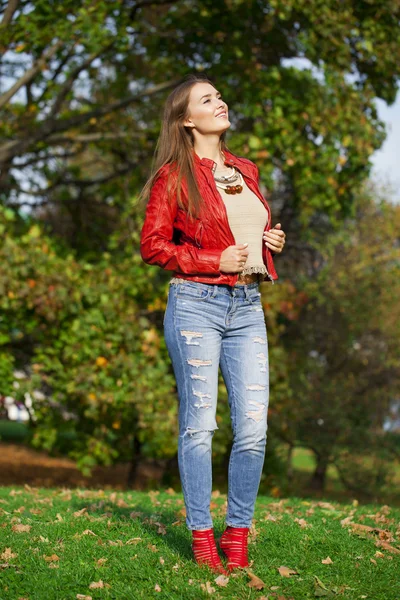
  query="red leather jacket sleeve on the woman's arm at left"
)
[{"x": 156, "y": 241}]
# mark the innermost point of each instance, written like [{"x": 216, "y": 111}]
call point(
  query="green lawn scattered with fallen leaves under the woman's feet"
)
[{"x": 162, "y": 554}]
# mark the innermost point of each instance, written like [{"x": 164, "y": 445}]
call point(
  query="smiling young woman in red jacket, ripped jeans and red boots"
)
[{"x": 207, "y": 222}]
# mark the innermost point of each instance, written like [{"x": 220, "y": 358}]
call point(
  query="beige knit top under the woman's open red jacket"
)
[{"x": 247, "y": 218}]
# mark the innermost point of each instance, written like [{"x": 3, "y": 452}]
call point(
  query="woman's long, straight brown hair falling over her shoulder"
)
[{"x": 175, "y": 147}]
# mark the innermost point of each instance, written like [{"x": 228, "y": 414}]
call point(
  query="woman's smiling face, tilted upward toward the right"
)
[{"x": 207, "y": 112}]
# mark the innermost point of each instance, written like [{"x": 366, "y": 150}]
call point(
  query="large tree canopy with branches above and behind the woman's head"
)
[{"x": 79, "y": 126}]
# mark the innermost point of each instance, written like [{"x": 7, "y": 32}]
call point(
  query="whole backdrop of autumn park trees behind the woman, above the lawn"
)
[{"x": 83, "y": 362}]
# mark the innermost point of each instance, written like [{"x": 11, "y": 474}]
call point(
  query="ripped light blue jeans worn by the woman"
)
[{"x": 205, "y": 326}]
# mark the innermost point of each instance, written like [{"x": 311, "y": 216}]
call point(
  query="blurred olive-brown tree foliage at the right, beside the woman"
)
[{"x": 343, "y": 347}]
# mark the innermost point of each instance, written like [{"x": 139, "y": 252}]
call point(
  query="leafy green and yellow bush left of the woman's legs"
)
[{"x": 85, "y": 334}]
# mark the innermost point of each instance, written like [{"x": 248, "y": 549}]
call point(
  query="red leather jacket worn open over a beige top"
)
[{"x": 192, "y": 248}]
